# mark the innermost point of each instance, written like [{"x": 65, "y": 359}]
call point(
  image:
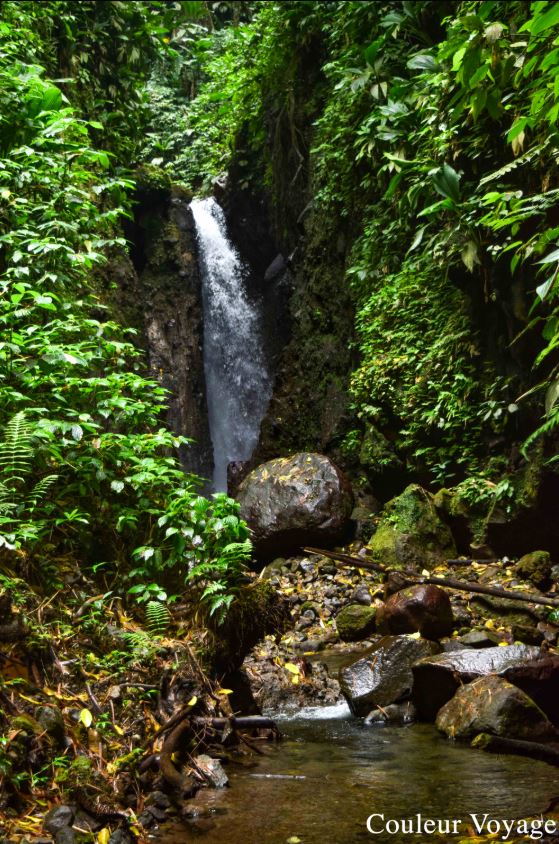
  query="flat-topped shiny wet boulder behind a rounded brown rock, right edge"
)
[{"x": 436, "y": 679}]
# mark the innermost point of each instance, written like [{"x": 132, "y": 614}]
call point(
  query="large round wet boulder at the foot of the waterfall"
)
[{"x": 294, "y": 501}]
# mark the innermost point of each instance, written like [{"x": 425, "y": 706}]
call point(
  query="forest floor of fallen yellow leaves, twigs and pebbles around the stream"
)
[{"x": 108, "y": 728}]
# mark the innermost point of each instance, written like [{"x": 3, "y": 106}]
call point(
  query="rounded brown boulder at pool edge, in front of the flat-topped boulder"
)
[{"x": 493, "y": 705}]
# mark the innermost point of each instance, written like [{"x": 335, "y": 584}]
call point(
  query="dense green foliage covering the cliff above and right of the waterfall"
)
[{"x": 431, "y": 127}]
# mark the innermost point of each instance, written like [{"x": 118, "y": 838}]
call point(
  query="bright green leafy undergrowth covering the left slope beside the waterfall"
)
[{"x": 88, "y": 468}]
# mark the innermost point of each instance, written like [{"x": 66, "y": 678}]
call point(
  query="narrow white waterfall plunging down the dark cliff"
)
[{"x": 238, "y": 386}]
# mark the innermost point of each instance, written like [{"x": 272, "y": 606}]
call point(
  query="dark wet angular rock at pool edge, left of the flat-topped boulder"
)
[{"x": 383, "y": 675}]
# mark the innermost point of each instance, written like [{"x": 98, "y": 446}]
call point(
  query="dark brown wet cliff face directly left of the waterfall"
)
[{"x": 161, "y": 297}]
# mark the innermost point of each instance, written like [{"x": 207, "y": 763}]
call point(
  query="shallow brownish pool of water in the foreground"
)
[{"x": 329, "y": 774}]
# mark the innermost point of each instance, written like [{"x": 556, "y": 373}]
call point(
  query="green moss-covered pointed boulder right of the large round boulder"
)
[{"x": 411, "y": 533}]
